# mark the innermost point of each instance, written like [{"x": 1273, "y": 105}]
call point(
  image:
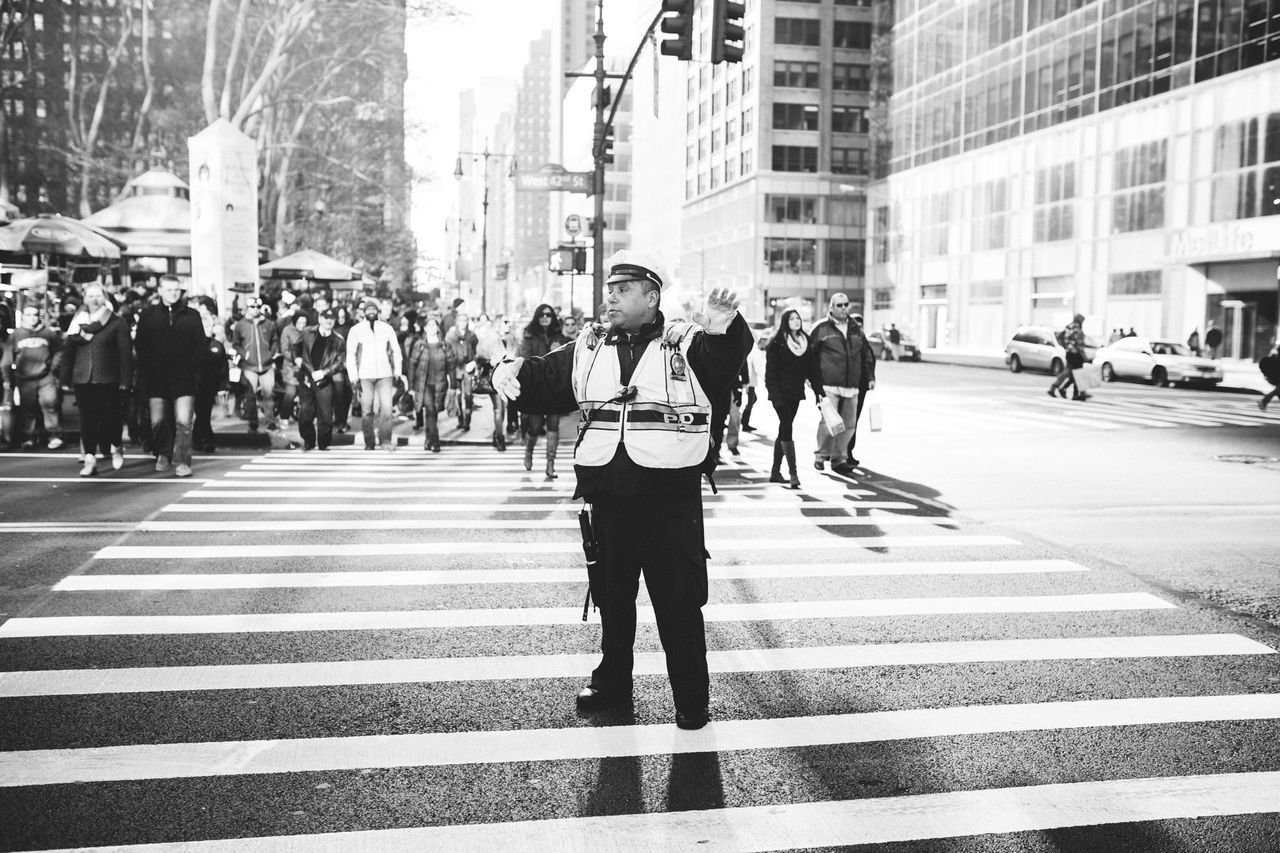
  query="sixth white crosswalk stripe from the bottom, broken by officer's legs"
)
[{"x": 449, "y": 549}]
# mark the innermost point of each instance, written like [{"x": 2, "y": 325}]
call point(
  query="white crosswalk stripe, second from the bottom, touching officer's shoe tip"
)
[{"x": 316, "y": 755}]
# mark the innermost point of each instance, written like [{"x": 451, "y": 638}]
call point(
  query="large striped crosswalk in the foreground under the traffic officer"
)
[{"x": 380, "y": 653}]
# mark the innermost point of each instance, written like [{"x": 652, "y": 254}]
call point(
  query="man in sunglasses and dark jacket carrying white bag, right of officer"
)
[{"x": 842, "y": 370}]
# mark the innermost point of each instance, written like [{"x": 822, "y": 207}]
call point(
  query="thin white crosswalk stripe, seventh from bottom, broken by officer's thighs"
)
[{"x": 258, "y": 526}]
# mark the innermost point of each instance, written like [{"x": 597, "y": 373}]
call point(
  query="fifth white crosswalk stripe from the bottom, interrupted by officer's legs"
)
[{"x": 422, "y": 578}]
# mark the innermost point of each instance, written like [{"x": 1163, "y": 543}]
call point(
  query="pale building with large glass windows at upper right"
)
[{"x": 1116, "y": 158}]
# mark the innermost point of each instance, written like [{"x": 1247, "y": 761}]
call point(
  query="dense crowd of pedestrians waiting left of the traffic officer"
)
[{"x": 148, "y": 368}]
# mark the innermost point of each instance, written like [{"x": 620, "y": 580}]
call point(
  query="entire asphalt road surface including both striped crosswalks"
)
[{"x": 988, "y": 641}]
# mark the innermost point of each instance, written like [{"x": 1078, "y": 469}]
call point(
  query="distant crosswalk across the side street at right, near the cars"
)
[{"x": 913, "y": 412}]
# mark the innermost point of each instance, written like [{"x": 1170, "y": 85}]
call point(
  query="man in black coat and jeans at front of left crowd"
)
[{"x": 171, "y": 349}]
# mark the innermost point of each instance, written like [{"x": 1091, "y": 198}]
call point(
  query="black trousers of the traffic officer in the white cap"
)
[{"x": 662, "y": 539}]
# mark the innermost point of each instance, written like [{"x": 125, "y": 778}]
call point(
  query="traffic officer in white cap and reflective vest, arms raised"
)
[{"x": 644, "y": 389}]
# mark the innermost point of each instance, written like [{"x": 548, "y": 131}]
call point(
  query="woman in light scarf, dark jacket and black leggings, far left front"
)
[{"x": 99, "y": 366}]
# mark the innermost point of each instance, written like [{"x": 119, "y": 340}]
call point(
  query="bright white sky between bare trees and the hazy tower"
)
[{"x": 491, "y": 40}]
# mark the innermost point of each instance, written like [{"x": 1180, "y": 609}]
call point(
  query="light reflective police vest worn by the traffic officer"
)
[{"x": 665, "y": 425}]
